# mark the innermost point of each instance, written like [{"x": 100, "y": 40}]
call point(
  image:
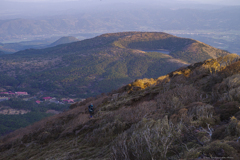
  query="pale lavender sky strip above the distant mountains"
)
[{"x": 10, "y": 9}]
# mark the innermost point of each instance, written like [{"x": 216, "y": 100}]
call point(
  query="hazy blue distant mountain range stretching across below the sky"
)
[{"x": 122, "y": 19}]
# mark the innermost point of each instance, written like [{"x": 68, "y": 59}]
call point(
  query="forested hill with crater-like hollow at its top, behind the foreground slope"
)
[{"x": 94, "y": 66}]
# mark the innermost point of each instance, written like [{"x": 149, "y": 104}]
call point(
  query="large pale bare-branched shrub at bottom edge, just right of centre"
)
[{"x": 150, "y": 139}]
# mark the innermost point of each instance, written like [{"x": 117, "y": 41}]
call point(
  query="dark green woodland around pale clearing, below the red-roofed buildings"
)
[{"x": 9, "y": 123}]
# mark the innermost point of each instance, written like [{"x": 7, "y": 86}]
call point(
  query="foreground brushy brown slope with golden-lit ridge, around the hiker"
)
[{"x": 190, "y": 113}]
